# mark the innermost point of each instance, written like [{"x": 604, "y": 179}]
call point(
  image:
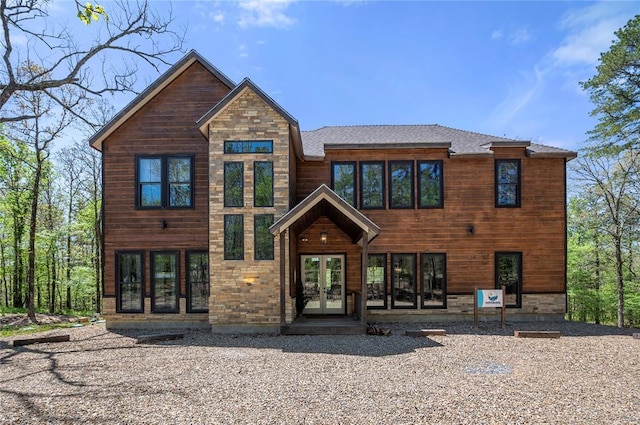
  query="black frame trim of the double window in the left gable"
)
[{"x": 164, "y": 181}]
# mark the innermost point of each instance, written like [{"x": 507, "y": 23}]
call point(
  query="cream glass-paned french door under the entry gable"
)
[{"x": 323, "y": 284}]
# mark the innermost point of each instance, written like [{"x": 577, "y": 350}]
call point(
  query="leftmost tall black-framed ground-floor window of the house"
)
[{"x": 129, "y": 282}]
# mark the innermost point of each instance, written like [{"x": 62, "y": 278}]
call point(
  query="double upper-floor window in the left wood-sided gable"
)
[{"x": 164, "y": 182}]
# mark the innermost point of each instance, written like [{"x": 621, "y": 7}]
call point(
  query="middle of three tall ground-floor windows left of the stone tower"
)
[{"x": 164, "y": 282}]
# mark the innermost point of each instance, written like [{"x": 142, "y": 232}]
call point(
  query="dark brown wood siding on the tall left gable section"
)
[{"x": 165, "y": 125}]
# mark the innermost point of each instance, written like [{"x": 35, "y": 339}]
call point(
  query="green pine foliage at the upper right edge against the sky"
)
[{"x": 615, "y": 90}]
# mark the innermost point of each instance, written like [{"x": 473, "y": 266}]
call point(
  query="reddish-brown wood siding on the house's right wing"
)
[{"x": 537, "y": 229}]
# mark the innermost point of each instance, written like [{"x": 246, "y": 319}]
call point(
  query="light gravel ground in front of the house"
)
[{"x": 589, "y": 376}]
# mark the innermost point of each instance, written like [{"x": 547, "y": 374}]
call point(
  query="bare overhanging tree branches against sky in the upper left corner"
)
[{"x": 106, "y": 64}]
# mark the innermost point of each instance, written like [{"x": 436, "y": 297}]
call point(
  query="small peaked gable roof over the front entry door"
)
[{"x": 325, "y": 202}]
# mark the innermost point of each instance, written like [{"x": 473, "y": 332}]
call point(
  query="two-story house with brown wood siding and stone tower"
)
[{"x": 219, "y": 211}]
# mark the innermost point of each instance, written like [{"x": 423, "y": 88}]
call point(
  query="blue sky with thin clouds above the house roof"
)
[{"x": 502, "y": 68}]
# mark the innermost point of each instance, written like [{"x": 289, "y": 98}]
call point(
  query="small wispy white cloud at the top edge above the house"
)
[{"x": 265, "y": 13}]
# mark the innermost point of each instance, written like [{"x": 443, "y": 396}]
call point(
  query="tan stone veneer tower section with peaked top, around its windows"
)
[{"x": 245, "y": 295}]
